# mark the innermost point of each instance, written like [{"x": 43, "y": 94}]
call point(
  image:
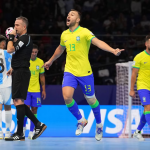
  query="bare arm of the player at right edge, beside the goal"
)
[{"x": 133, "y": 80}]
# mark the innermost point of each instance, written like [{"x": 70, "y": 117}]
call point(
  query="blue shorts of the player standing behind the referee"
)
[{"x": 33, "y": 99}]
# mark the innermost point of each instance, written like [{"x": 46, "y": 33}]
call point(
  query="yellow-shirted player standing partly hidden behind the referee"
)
[{"x": 33, "y": 99}]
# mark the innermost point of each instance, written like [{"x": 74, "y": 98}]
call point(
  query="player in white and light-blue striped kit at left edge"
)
[{"x": 5, "y": 87}]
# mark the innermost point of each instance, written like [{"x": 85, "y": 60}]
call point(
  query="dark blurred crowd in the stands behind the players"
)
[{"x": 120, "y": 23}]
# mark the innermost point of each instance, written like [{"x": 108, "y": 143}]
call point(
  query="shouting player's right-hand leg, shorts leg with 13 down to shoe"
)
[{"x": 87, "y": 86}]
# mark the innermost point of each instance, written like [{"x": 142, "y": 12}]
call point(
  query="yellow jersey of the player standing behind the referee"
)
[{"x": 35, "y": 69}]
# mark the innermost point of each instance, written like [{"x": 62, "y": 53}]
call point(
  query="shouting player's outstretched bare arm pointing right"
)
[{"x": 102, "y": 45}]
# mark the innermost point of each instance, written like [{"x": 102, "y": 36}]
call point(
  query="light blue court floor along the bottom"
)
[{"x": 76, "y": 143}]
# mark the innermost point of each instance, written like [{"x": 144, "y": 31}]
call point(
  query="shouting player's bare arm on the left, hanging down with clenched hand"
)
[{"x": 58, "y": 52}]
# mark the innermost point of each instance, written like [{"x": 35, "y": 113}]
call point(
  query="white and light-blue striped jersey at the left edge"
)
[{"x": 5, "y": 65}]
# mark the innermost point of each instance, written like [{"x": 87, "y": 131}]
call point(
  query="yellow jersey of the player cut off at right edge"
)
[{"x": 142, "y": 62}]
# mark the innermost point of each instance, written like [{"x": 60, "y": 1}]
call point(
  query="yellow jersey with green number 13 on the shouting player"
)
[{"x": 77, "y": 45}]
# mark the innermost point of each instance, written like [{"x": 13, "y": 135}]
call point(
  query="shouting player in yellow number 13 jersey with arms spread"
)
[{"x": 76, "y": 40}]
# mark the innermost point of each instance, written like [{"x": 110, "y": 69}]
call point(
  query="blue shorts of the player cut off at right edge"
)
[{"x": 144, "y": 96}]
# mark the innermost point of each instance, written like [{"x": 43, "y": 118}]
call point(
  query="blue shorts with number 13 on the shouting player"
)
[{"x": 86, "y": 83}]
